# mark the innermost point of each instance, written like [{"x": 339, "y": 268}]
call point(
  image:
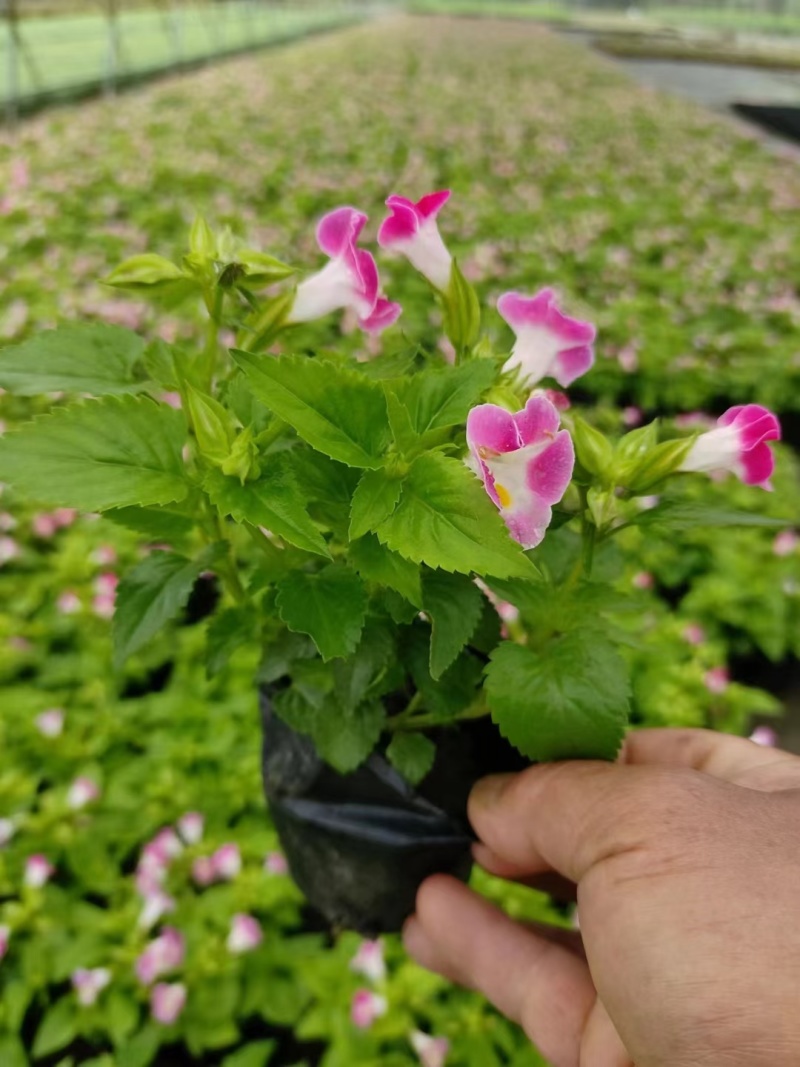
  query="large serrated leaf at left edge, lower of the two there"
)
[{"x": 104, "y": 454}]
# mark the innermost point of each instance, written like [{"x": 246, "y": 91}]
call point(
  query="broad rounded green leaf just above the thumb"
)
[{"x": 568, "y": 700}]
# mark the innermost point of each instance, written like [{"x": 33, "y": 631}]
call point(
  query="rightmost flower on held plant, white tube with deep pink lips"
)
[{"x": 739, "y": 443}]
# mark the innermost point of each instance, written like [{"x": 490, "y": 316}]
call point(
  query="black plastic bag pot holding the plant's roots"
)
[{"x": 360, "y": 846}]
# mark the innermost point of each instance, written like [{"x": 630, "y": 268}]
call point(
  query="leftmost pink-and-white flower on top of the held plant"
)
[{"x": 350, "y": 279}]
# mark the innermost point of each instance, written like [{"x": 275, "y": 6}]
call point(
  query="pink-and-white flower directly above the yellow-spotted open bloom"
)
[{"x": 549, "y": 343}]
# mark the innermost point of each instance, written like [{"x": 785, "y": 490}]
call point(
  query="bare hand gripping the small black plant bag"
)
[{"x": 686, "y": 857}]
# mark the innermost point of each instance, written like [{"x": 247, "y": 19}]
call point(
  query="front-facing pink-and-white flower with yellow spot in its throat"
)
[{"x": 525, "y": 461}]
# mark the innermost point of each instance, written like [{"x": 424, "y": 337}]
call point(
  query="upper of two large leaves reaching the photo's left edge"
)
[{"x": 86, "y": 358}]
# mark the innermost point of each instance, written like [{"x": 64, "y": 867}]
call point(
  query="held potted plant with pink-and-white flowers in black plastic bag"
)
[{"x": 419, "y": 543}]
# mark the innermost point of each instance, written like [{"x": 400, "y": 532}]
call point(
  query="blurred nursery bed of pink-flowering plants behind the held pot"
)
[{"x": 661, "y": 224}]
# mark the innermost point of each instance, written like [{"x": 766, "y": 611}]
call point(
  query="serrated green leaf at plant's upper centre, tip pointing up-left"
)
[{"x": 337, "y": 410}]
